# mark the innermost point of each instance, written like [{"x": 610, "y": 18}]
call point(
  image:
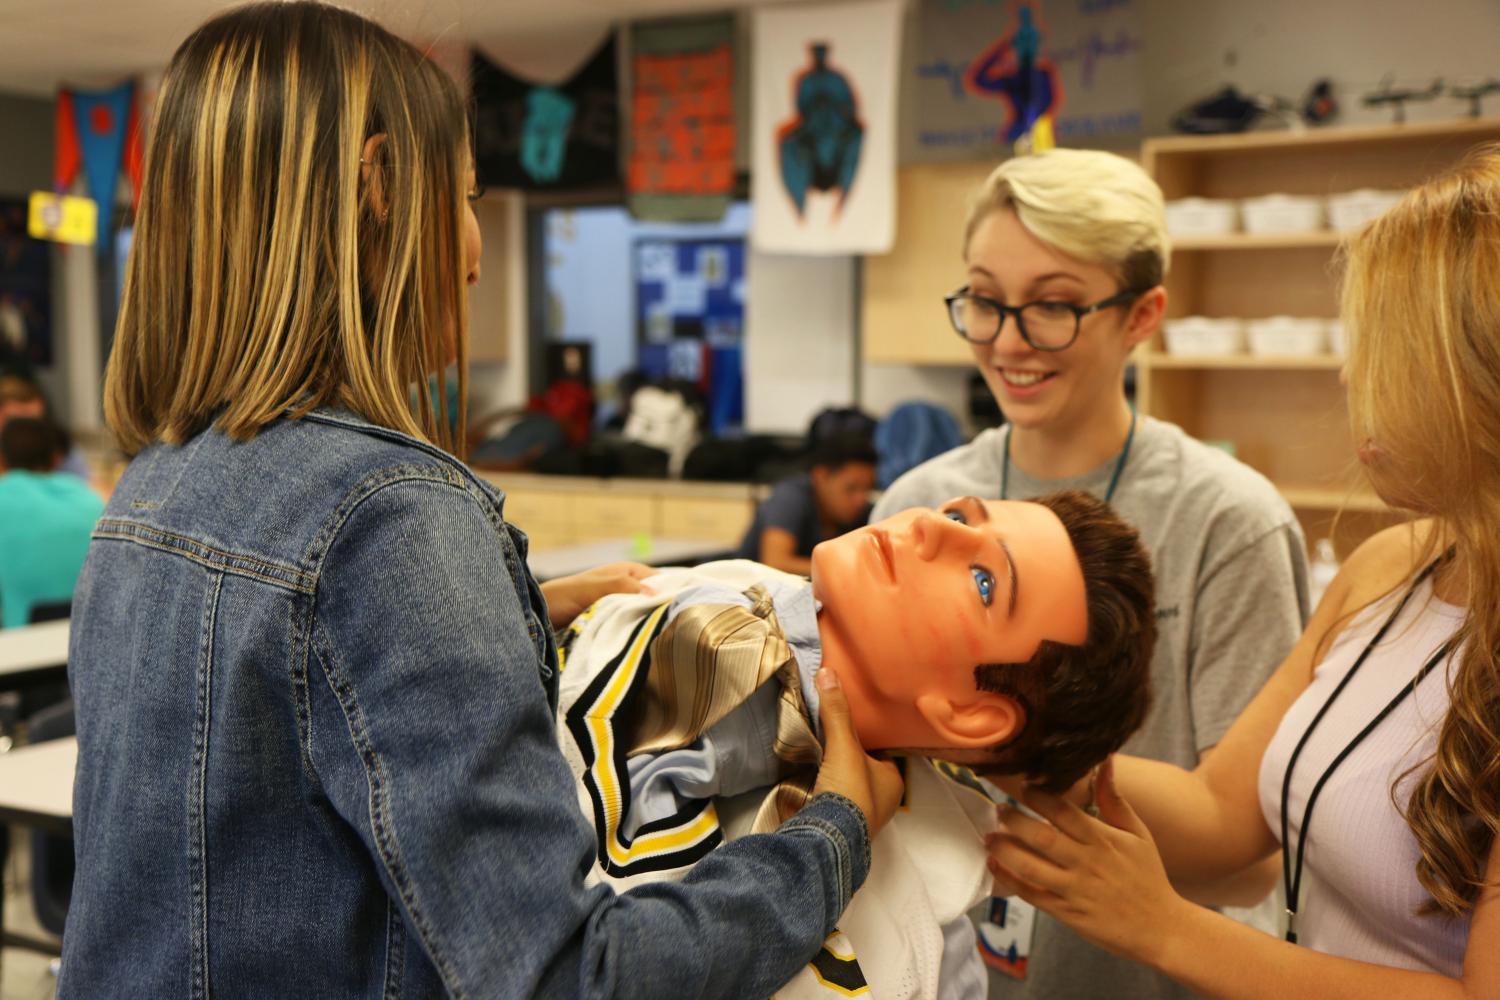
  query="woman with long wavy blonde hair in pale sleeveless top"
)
[{"x": 1372, "y": 759}]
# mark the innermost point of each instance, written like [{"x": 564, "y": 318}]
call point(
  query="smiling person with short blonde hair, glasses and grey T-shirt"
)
[{"x": 1066, "y": 256}]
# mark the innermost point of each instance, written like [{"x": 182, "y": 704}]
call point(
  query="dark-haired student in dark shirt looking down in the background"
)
[{"x": 815, "y": 506}]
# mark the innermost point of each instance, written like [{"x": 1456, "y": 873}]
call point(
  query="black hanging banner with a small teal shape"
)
[{"x": 547, "y": 136}]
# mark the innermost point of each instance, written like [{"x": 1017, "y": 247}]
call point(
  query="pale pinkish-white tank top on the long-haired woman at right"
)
[{"x": 1360, "y": 891}]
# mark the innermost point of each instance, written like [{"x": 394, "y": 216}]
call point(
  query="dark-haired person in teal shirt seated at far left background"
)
[{"x": 46, "y": 522}]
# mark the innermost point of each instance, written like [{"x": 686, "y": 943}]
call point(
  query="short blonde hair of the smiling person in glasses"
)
[{"x": 1096, "y": 208}]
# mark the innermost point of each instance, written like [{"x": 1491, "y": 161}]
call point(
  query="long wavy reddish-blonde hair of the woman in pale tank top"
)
[{"x": 1423, "y": 305}]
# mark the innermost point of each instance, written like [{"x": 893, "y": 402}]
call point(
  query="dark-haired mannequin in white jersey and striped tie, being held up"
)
[{"x": 689, "y": 716}]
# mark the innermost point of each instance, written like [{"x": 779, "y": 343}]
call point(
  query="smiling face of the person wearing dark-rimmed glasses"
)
[{"x": 1049, "y": 389}]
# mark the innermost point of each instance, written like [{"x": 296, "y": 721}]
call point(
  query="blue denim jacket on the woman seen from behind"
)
[{"x": 316, "y": 696}]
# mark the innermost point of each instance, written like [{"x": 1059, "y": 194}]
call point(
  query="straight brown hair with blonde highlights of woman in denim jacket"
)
[{"x": 274, "y": 271}]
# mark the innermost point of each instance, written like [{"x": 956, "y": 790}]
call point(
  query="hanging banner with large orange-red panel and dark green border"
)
[{"x": 682, "y": 164}]
